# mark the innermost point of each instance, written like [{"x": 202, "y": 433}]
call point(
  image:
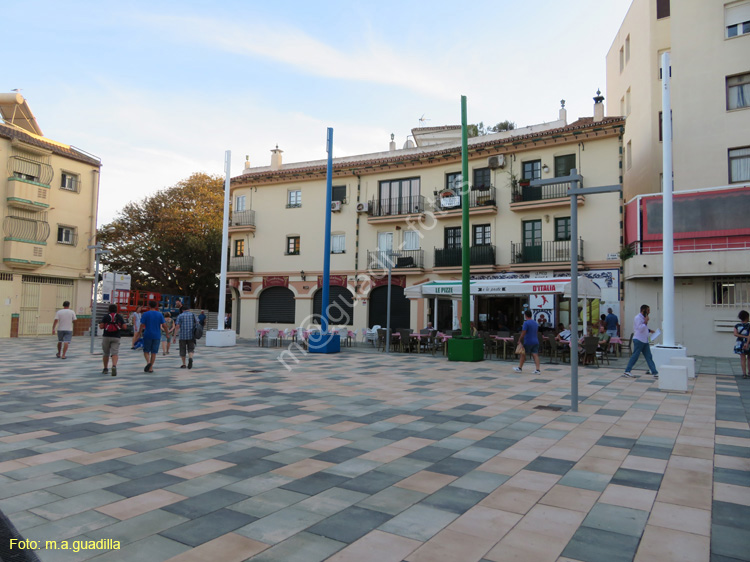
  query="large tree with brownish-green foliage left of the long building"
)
[{"x": 171, "y": 242}]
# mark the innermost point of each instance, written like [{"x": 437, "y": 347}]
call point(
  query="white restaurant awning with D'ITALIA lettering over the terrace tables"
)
[{"x": 505, "y": 287}]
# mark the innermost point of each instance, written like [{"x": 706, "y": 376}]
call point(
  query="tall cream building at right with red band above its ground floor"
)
[{"x": 709, "y": 46}]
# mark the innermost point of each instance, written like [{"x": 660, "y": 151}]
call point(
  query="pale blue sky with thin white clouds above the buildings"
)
[{"x": 160, "y": 90}]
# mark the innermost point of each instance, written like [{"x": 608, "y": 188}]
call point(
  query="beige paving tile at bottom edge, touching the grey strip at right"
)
[{"x": 659, "y": 543}]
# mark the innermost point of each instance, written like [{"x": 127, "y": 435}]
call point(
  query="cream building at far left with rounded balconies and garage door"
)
[{"x": 49, "y": 216}]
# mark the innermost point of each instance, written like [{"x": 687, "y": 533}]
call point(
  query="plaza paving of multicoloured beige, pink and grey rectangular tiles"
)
[{"x": 363, "y": 456}]
